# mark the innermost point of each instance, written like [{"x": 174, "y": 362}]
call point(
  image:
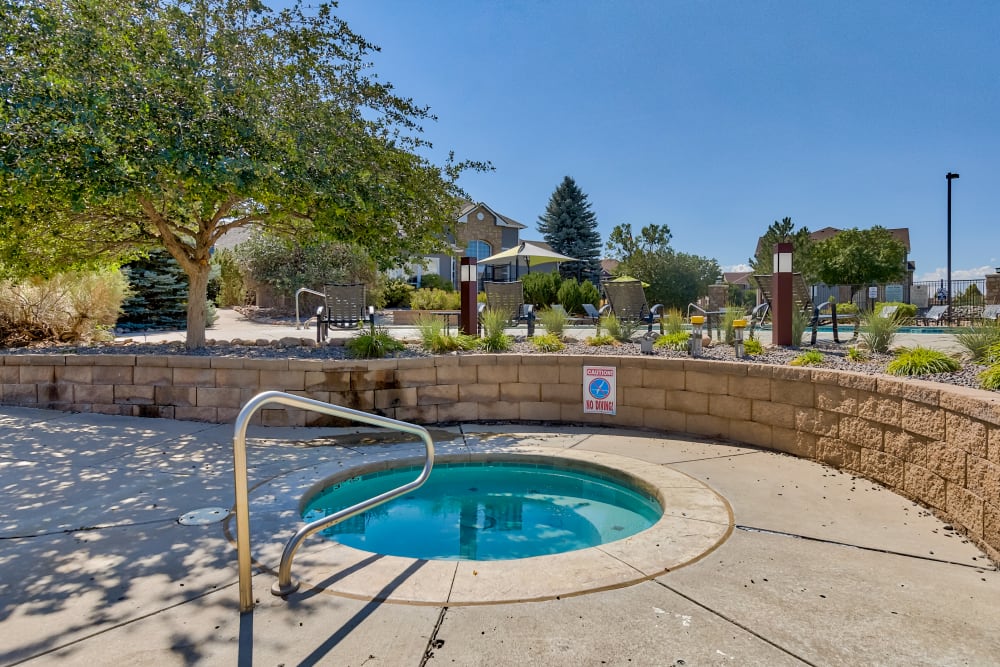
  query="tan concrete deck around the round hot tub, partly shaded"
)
[{"x": 819, "y": 568}]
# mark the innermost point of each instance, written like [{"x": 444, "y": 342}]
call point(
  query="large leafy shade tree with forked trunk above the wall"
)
[{"x": 144, "y": 123}]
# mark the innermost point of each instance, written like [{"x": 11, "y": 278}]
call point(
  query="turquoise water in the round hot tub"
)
[{"x": 486, "y": 511}]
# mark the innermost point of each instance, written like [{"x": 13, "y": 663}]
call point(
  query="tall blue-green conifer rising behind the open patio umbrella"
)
[{"x": 570, "y": 227}]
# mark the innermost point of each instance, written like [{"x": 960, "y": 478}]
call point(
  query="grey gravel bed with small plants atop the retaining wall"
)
[{"x": 834, "y": 355}]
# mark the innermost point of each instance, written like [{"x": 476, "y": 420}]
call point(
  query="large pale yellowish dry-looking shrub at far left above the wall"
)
[{"x": 75, "y": 306}]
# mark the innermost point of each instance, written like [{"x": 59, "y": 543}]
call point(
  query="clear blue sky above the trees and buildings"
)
[{"x": 716, "y": 118}]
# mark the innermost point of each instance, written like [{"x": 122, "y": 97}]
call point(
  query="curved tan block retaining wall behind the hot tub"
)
[{"x": 938, "y": 444}]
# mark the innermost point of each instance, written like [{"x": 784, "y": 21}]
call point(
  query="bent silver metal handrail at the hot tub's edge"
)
[{"x": 284, "y": 585}]
